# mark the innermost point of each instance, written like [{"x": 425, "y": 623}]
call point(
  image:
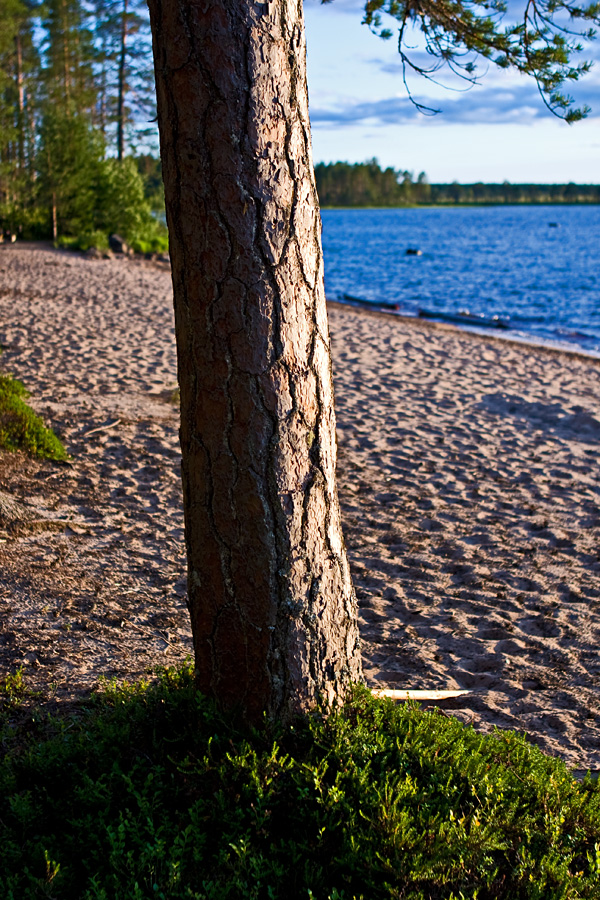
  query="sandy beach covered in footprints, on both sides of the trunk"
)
[{"x": 468, "y": 476}]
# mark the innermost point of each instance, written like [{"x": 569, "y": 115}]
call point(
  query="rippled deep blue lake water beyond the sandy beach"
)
[{"x": 536, "y": 267}]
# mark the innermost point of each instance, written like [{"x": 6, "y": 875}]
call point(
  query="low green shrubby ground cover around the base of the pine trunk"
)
[{"x": 151, "y": 793}]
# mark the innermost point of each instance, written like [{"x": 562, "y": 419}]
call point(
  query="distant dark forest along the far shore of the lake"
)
[{"x": 367, "y": 184}]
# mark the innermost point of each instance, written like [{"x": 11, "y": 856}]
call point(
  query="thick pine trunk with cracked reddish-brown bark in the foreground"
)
[{"x": 272, "y": 606}]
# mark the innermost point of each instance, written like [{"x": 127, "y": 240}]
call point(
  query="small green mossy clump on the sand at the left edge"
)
[{"x": 20, "y": 428}]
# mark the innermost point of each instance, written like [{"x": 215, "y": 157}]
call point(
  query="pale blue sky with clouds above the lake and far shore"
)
[{"x": 497, "y": 130}]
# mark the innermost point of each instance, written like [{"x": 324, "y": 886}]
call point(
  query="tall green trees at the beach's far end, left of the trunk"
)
[{"x": 76, "y": 103}]
